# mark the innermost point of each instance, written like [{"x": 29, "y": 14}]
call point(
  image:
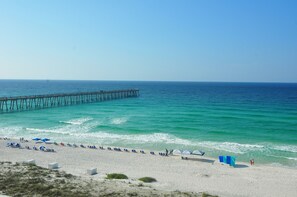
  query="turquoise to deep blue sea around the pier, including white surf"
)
[{"x": 248, "y": 120}]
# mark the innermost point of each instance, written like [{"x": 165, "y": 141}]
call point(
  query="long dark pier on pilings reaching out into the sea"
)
[{"x": 25, "y": 103}]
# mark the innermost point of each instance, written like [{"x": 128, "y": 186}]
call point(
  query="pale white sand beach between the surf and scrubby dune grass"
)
[{"x": 200, "y": 175}]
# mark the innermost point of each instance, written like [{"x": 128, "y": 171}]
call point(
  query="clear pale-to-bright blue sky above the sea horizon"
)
[{"x": 162, "y": 40}]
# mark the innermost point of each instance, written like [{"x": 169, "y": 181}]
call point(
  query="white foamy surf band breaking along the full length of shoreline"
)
[{"x": 85, "y": 133}]
